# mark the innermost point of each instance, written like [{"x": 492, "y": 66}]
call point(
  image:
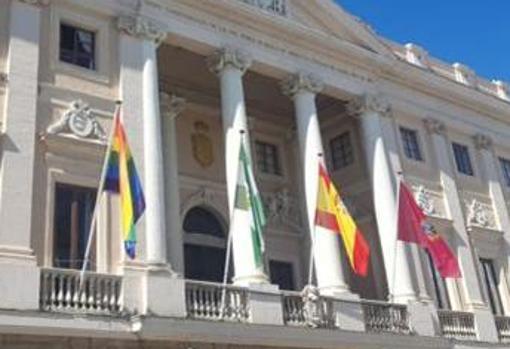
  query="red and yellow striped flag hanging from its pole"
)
[{"x": 332, "y": 214}]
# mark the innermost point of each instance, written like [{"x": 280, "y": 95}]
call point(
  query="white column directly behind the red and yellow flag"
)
[{"x": 302, "y": 89}]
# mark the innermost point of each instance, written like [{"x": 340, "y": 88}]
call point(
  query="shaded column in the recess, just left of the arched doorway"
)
[{"x": 171, "y": 107}]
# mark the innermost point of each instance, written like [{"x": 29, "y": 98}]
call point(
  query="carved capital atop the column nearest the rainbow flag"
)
[{"x": 141, "y": 27}]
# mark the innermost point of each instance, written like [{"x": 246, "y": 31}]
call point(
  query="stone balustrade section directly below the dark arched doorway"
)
[{"x": 211, "y": 301}]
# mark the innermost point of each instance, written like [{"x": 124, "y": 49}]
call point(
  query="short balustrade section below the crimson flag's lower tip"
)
[{"x": 457, "y": 324}]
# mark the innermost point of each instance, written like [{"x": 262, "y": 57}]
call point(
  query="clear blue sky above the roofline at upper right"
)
[{"x": 475, "y": 33}]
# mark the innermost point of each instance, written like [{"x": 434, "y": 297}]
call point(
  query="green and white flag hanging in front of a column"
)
[{"x": 249, "y": 202}]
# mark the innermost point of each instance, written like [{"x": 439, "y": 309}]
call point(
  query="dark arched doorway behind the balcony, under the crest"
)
[{"x": 204, "y": 245}]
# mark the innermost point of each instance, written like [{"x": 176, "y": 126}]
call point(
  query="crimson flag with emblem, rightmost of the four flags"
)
[{"x": 414, "y": 228}]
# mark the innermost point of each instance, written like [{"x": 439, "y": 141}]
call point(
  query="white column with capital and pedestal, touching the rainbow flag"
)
[{"x": 149, "y": 287}]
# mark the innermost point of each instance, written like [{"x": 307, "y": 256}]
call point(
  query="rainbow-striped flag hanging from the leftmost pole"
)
[{"x": 122, "y": 177}]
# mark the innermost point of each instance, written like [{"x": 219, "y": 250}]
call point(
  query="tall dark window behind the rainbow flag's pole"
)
[{"x": 73, "y": 214}]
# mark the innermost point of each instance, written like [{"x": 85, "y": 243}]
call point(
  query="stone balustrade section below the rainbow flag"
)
[{"x": 60, "y": 291}]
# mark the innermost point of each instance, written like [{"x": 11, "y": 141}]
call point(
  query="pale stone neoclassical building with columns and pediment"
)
[{"x": 306, "y": 82}]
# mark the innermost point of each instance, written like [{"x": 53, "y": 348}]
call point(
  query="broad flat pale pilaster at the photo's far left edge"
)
[{"x": 19, "y": 281}]
